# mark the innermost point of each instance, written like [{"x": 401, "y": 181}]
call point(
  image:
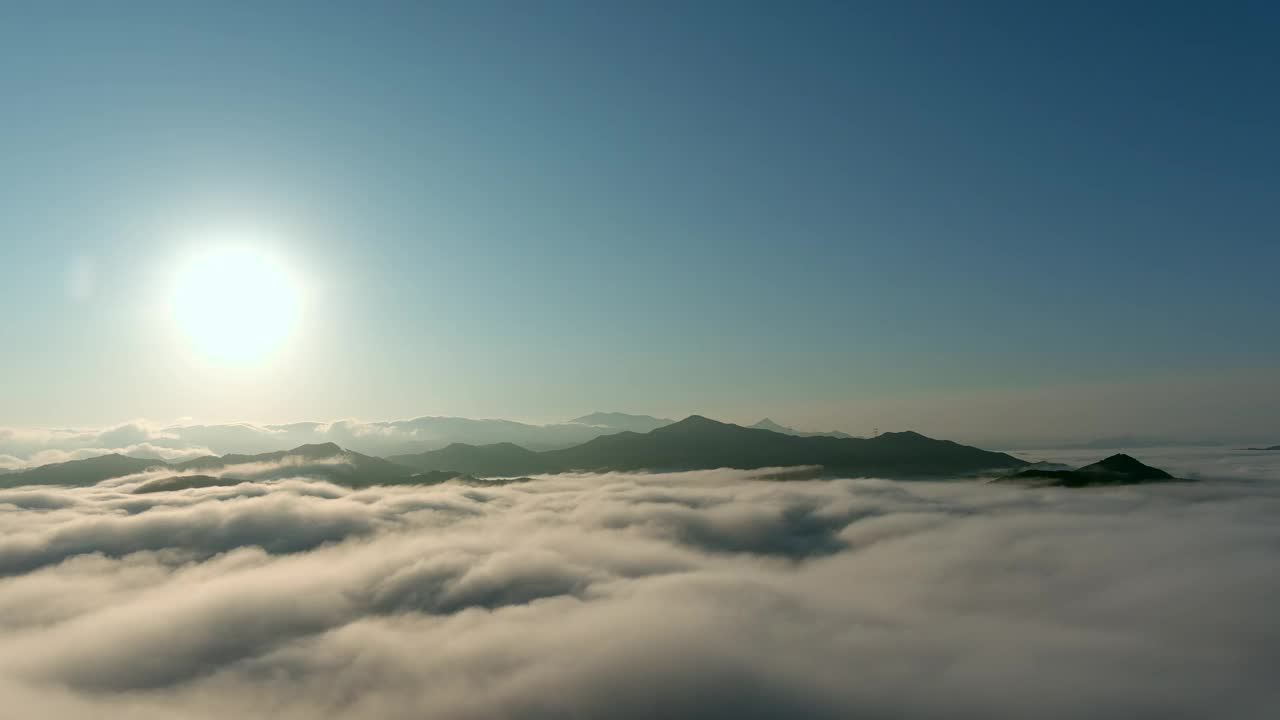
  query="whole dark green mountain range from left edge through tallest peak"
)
[{"x": 694, "y": 443}]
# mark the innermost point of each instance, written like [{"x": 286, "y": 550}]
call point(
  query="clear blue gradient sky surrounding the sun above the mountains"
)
[{"x": 839, "y": 215}]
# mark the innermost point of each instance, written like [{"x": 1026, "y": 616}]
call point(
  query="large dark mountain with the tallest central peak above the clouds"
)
[{"x": 700, "y": 443}]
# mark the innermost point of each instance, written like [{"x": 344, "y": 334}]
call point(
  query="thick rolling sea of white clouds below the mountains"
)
[{"x": 692, "y": 595}]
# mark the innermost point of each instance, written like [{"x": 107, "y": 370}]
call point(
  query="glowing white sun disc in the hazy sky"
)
[{"x": 236, "y": 306}]
